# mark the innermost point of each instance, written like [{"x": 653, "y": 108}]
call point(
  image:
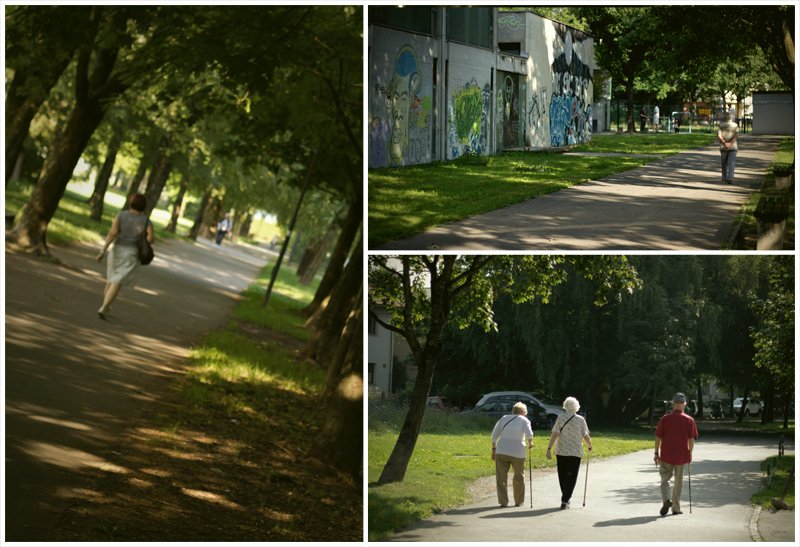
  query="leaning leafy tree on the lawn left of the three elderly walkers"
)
[{"x": 434, "y": 290}]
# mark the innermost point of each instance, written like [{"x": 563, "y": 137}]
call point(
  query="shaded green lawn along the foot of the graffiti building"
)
[{"x": 408, "y": 200}]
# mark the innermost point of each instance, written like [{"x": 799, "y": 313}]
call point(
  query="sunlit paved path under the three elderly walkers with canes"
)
[{"x": 623, "y": 502}]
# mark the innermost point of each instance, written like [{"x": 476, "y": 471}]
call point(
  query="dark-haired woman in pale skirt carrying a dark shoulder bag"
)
[{"x": 123, "y": 260}]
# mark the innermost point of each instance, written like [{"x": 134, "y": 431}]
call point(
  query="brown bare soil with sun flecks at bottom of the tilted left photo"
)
[{"x": 173, "y": 479}]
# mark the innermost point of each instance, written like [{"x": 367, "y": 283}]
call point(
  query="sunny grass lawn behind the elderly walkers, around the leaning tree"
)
[{"x": 453, "y": 450}]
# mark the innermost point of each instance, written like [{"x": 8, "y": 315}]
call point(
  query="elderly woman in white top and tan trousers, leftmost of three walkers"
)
[{"x": 508, "y": 448}]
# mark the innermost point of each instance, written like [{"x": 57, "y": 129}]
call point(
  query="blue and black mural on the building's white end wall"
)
[{"x": 570, "y": 110}]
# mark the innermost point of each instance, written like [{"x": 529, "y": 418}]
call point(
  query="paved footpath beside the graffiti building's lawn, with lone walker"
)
[{"x": 674, "y": 203}]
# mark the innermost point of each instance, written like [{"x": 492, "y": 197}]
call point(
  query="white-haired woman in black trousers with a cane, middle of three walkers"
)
[{"x": 569, "y": 430}]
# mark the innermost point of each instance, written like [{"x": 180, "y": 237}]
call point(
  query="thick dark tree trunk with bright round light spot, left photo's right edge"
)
[{"x": 340, "y": 443}]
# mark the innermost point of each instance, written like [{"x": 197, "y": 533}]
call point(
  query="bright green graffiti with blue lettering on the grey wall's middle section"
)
[{"x": 468, "y": 118}]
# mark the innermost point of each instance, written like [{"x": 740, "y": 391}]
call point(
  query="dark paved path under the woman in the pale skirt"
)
[{"x": 73, "y": 381}]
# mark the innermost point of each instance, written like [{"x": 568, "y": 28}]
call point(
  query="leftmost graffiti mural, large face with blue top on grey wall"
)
[{"x": 399, "y": 130}]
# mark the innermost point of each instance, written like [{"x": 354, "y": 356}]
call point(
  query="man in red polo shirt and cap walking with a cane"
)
[{"x": 675, "y": 434}]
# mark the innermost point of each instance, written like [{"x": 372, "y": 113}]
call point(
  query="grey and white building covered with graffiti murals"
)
[{"x": 446, "y": 81}]
